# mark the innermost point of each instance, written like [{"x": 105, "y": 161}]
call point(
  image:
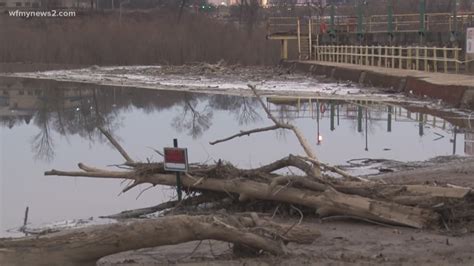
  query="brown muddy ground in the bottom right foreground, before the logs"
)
[{"x": 341, "y": 243}]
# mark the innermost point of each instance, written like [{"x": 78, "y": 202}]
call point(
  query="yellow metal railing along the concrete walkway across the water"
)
[{"x": 430, "y": 59}]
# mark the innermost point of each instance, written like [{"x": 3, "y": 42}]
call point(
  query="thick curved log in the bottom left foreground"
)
[{"x": 84, "y": 246}]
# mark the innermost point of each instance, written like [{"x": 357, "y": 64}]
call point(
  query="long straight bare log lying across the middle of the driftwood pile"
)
[{"x": 325, "y": 202}]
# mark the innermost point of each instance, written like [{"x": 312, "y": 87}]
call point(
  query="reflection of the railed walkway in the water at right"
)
[{"x": 367, "y": 117}]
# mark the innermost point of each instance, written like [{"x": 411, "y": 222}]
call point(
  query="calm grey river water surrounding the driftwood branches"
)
[{"x": 54, "y": 126}]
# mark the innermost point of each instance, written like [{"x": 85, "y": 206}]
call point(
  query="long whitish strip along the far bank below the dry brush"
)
[{"x": 150, "y": 76}]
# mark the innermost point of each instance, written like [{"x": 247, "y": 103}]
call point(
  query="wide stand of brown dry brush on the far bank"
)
[{"x": 140, "y": 39}]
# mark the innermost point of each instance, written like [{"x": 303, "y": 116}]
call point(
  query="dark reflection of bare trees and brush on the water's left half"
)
[{"x": 80, "y": 110}]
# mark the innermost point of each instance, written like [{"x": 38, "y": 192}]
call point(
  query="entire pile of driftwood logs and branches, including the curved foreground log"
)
[{"x": 317, "y": 192}]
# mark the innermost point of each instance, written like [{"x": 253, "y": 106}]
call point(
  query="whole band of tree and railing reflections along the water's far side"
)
[{"x": 78, "y": 110}]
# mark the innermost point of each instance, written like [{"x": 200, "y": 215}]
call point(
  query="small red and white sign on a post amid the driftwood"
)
[{"x": 176, "y": 160}]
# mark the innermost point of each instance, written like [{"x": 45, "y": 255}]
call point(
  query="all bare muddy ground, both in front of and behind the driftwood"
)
[{"x": 345, "y": 241}]
